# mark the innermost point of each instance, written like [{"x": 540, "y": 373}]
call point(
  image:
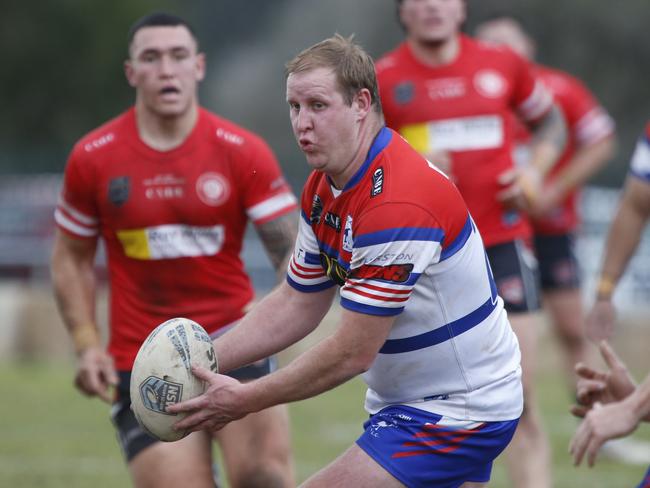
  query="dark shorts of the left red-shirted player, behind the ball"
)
[{"x": 131, "y": 437}]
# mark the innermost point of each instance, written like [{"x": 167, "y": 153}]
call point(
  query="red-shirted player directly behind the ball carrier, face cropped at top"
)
[{"x": 453, "y": 99}]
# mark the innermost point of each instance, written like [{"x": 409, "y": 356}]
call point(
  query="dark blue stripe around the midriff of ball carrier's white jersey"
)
[{"x": 441, "y": 334}]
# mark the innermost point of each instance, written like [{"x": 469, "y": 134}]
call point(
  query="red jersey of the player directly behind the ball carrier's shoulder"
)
[{"x": 465, "y": 108}]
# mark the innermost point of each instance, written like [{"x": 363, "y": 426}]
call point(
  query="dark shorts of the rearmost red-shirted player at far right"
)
[{"x": 558, "y": 266}]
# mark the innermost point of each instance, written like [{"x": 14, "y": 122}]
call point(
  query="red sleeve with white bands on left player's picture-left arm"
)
[{"x": 76, "y": 212}]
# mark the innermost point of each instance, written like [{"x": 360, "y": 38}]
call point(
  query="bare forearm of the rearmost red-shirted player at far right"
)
[{"x": 584, "y": 164}]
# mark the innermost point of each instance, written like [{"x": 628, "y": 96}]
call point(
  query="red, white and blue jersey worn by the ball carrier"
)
[{"x": 398, "y": 240}]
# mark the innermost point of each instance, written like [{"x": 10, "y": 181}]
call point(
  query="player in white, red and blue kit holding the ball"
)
[{"x": 386, "y": 228}]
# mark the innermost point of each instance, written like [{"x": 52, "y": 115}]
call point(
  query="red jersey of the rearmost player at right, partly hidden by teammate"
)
[{"x": 587, "y": 123}]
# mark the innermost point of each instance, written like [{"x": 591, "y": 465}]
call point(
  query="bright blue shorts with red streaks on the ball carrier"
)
[{"x": 422, "y": 449}]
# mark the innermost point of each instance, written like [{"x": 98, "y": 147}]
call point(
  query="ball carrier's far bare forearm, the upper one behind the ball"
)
[{"x": 281, "y": 319}]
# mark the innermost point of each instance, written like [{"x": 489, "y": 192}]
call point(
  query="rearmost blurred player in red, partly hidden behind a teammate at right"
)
[{"x": 590, "y": 145}]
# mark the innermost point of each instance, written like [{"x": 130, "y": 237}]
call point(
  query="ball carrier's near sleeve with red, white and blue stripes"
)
[{"x": 392, "y": 245}]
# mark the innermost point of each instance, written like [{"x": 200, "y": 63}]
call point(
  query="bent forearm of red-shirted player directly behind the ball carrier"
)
[{"x": 549, "y": 140}]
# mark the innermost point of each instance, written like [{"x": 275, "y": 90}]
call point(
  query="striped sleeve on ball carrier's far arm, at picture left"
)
[{"x": 305, "y": 272}]
